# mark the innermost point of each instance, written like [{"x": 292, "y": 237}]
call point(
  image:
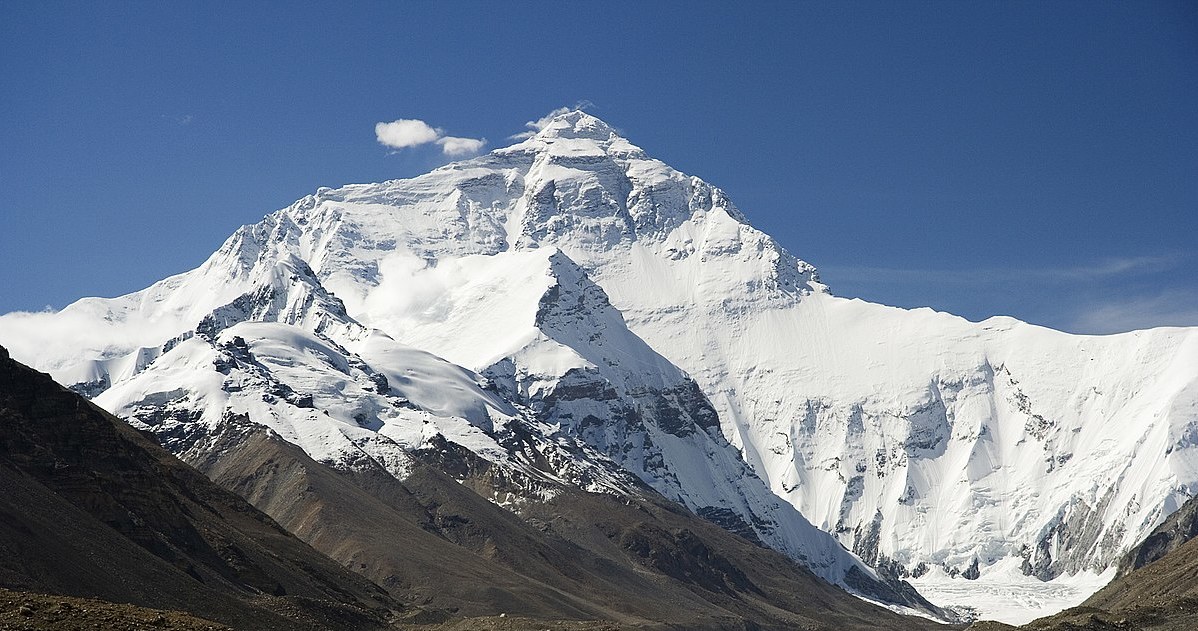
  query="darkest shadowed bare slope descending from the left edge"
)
[{"x": 92, "y": 508}]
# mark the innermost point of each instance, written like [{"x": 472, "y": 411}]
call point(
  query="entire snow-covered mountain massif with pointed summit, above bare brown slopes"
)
[{"x": 571, "y": 311}]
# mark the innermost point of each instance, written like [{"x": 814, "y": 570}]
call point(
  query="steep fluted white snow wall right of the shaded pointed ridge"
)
[{"x": 922, "y": 439}]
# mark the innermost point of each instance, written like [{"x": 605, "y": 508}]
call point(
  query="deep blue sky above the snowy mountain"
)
[{"x": 1037, "y": 160}]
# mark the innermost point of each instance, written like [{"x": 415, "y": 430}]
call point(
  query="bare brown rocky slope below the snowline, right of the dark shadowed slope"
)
[{"x": 577, "y": 556}]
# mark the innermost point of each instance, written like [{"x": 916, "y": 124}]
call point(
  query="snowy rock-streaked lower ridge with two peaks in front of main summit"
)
[{"x": 594, "y": 405}]
